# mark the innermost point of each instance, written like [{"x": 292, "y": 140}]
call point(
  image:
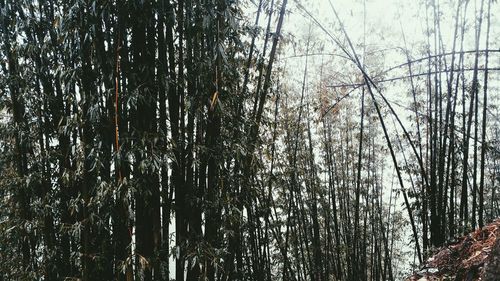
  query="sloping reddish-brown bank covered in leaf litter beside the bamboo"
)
[{"x": 475, "y": 256}]
